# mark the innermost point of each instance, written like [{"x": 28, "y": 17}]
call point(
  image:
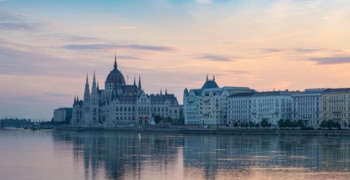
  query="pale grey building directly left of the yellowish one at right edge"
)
[{"x": 307, "y": 106}]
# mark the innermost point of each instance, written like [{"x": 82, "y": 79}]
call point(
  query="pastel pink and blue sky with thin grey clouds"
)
[{"x": 47, "y": 47}]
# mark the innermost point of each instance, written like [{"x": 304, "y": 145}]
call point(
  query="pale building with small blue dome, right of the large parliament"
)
[{"x": 208, "y": 105}]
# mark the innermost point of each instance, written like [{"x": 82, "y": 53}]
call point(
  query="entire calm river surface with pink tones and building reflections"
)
[{"x": 46, "y": 154}]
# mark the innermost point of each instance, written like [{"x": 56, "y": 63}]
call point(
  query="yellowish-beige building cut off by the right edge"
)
[{"x": 336, "y": 105}]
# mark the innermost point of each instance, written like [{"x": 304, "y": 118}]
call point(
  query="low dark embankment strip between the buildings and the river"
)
[{"x": 221, "y": 130}]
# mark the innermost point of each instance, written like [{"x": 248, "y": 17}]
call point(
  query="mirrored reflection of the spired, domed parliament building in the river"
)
[{"x": 123, "y": 155}]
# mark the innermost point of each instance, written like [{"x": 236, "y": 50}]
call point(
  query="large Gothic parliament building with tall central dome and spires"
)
[{"x": 121, "y": 104}]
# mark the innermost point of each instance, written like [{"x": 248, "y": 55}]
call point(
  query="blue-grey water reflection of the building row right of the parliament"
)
[{"x": 225, "y": 153}]
